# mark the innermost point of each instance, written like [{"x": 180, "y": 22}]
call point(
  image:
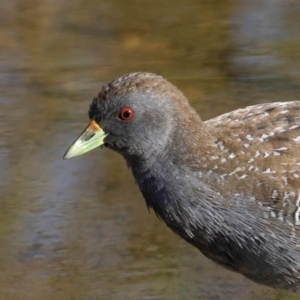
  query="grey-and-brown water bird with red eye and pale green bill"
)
[{"x": 229, "y": 186}]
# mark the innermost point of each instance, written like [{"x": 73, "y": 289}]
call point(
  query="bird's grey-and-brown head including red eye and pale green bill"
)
[{"x": 137, "y": 115}]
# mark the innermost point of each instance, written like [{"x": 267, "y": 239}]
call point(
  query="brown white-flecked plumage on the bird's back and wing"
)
[{"x": 258, "y": 153}]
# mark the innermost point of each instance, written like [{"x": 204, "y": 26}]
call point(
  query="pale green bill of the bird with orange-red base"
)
[{"x": 92, "y": 137}]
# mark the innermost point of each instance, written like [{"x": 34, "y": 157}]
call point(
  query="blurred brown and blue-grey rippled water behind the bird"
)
[{"x": 79, "y": 229}]
